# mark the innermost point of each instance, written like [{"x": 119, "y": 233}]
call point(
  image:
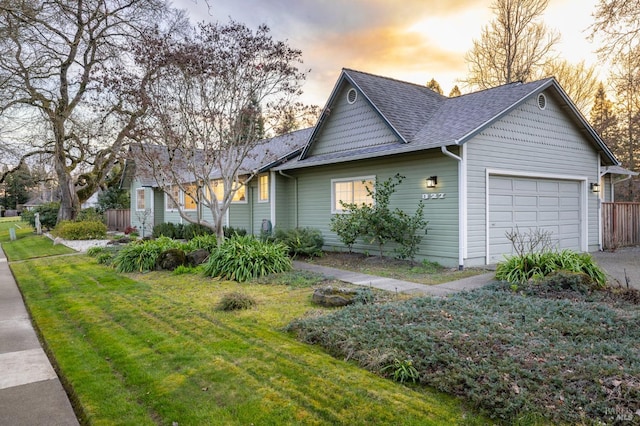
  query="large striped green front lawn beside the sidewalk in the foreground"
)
[{"x": 152, "y": 349}]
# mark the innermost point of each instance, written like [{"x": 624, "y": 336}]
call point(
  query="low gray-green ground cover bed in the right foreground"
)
[{"x": 522, "y": 358}]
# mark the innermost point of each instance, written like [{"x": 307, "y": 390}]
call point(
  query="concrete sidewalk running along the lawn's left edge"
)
[{"x": 30, "y": 391}]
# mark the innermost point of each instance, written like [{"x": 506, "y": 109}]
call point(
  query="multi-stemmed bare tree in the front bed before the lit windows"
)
[{"x": 214, "y": 96}]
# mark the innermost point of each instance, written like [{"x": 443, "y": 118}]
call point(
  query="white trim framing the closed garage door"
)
[{"x": 583, "y": 180}]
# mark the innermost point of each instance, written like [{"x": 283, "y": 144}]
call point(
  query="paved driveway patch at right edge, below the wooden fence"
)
[{"x": 622, "y": 266}]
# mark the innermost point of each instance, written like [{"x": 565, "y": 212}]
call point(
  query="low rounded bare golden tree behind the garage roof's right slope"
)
[{"x": 578, "y": 80}]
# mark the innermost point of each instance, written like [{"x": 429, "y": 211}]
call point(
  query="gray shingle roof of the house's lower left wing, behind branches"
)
[{"x": 267, "y": 154}]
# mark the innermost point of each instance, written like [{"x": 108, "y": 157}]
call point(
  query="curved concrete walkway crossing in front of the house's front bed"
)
[{"x": 399, "y": 286}]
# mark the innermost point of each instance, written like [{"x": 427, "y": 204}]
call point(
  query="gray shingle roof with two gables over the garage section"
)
[{"x": 423, "y": 119}]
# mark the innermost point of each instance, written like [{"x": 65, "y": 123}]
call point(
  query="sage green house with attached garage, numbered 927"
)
[{"x": 519, "y": 155}]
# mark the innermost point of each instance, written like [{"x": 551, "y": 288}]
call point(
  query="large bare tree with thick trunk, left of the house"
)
[{"x": 52, "y": 54}]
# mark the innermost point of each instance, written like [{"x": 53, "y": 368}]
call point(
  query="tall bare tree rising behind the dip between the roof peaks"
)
[{"x": 512, "y": 47}]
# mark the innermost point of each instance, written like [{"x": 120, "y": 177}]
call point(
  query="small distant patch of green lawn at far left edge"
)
[{"x": 28, "y": 245}]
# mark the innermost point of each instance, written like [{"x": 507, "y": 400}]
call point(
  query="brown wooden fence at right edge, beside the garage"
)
[{"x": 620, "y": 225}]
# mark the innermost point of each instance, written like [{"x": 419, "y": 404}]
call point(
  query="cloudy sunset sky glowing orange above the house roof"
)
[{"x": 412, "y": 40}]
